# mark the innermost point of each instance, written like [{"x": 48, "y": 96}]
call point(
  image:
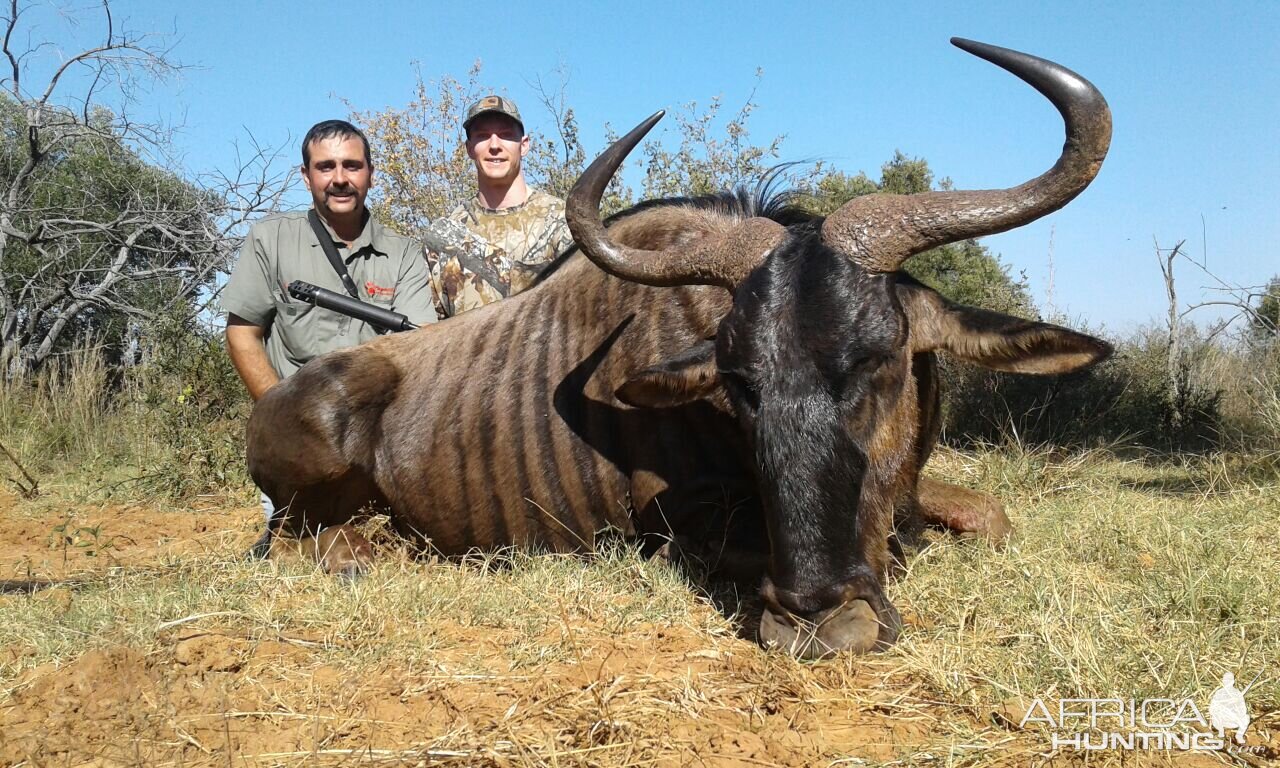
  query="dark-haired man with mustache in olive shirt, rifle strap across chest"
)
[{"x": 271, "y": 335}]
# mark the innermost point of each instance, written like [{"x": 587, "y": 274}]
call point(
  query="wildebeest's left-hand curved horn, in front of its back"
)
[{"x": 720, "y": 260}]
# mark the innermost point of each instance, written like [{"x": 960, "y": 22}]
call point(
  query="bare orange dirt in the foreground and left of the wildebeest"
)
[{"x": 212, "y": 693}]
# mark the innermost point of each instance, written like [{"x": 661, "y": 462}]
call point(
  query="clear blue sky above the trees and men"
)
[{"x": 1195, "y": 89}]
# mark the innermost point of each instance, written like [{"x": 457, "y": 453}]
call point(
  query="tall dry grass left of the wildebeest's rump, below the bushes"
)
[{"x": 88, "y": 433}]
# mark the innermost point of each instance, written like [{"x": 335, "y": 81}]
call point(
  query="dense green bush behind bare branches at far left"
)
[{"x": 94, "y": 209}]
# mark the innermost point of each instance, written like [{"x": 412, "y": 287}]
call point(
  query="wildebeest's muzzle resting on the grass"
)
[{"x": 852, "y": 628}]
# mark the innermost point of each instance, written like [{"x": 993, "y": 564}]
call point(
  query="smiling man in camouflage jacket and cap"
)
[{"x": 495, "y": 245}]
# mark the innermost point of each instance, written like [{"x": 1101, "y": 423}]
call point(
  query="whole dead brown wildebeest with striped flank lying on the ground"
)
[{"x": 691, "y": 351}]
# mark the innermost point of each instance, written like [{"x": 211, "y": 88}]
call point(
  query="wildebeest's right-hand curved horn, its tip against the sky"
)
[{"x": 880, "y": 232}]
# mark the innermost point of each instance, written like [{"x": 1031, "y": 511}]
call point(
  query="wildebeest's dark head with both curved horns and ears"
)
[{"x": 817, "y": 355}]
